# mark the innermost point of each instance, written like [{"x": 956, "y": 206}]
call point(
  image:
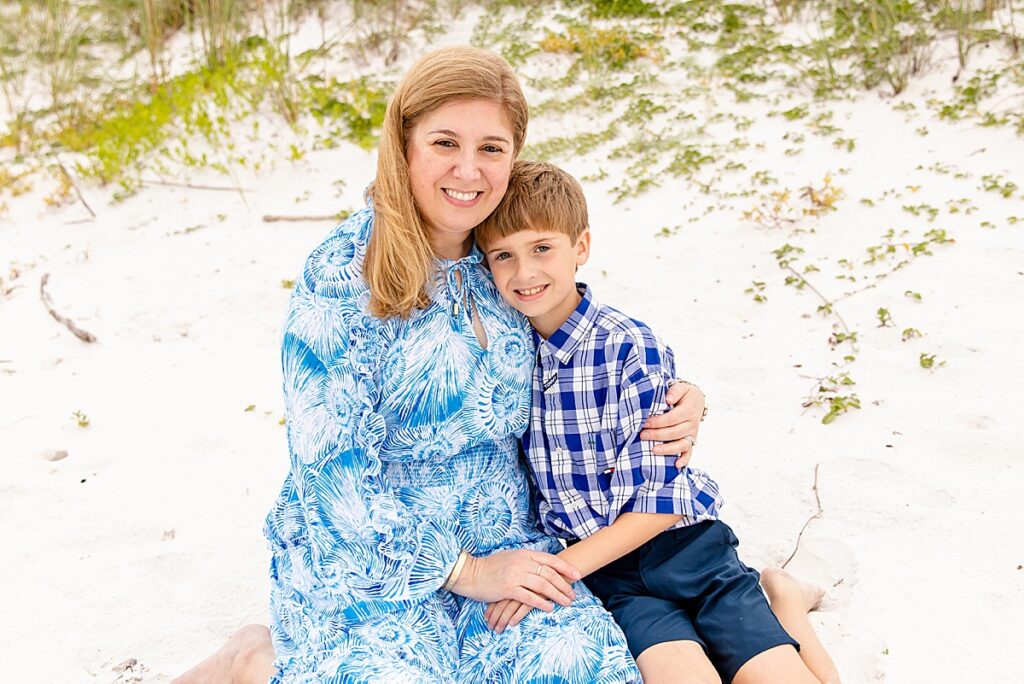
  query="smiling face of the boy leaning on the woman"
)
[{"x": 535, "y": 272}]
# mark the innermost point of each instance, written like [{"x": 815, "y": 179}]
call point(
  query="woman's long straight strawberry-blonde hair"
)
[{"x": 399, "y": 259}]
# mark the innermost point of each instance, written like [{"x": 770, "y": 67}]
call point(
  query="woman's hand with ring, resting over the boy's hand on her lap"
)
[{"x": 532, "y": 578}]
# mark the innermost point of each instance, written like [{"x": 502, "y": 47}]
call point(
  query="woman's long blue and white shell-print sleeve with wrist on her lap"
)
[{"x": 366, "y": 547}]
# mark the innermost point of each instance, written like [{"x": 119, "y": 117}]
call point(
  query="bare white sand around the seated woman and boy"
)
[{"x": 145, "y": 542}]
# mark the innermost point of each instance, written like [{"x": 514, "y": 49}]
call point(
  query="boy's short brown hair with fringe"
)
[{"x": 541, "y": 197}]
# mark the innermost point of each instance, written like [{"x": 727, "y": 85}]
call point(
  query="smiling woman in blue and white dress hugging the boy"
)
[{"x": 407, "y": 383}]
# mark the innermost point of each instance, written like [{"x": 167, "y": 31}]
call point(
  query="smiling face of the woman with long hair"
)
[{"x": 460, "y": 157}]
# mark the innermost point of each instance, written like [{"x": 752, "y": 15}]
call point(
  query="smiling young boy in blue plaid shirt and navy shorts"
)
[{"x": 645, "y": 535}]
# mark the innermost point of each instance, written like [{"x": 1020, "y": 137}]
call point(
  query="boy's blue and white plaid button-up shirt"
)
[{"x": 598, "y": 379}]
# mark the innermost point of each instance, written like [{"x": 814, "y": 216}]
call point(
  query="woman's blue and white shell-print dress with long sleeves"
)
[{"x": 403, "y": 438}]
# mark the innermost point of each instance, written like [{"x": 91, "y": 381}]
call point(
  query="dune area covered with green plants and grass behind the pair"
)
[{"x": 109, "y": 94}]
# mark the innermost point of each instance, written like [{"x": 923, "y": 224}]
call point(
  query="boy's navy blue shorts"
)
[{"x": 690, "y": 585}]
